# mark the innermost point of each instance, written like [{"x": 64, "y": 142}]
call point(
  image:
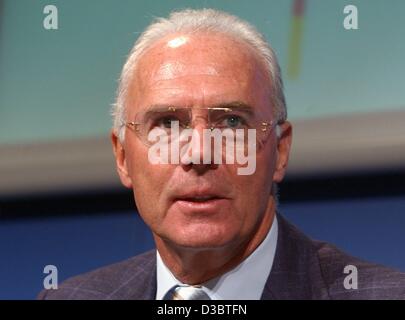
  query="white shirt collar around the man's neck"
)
[{"x": 244, "y": 282}]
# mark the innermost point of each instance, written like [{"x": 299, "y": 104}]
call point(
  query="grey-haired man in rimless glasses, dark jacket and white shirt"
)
[{"x": 190, "y": 78}]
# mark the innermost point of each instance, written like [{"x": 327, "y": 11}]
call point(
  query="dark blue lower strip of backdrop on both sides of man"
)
[{"x": 371, "y": 228}]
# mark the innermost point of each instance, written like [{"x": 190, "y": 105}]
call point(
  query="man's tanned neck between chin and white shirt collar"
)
[{"x": 185, "y": 263}]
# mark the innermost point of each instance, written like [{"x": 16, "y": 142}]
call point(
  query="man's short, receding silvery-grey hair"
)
[{"x": 192, "y": 21}]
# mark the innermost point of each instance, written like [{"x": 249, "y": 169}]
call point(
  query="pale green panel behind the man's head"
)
[{"x": 60, "y": 84}]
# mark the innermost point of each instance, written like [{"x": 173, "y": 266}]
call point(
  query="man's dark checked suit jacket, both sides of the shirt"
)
[{"x": 302, "y": 269}]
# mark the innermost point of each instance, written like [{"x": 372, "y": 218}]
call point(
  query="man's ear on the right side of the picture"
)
[{"x": 283, "y": 151}]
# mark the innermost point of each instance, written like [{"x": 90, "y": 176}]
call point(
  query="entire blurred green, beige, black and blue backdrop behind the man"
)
[{"x": 60, "y": 199}]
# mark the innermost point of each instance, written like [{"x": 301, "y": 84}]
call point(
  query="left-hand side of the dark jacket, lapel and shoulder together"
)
[{"x": 130, "y": 279}]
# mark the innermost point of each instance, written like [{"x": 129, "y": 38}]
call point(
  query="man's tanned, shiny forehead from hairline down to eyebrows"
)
[{"x": 199, "y": 69}]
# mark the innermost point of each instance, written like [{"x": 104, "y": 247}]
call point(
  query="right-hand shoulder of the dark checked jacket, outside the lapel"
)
[{"x": 347, "y": 277}]
